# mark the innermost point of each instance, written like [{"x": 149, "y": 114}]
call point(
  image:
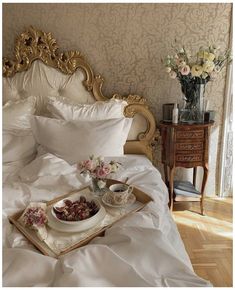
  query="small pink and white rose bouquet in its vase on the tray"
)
[{"x": 98, "y": 170}]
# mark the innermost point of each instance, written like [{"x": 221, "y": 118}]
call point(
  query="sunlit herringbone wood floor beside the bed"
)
[{"x": 208, "y": 239}]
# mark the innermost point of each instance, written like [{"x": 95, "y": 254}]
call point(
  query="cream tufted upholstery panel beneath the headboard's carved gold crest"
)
[{"x": 42, "y": 80}]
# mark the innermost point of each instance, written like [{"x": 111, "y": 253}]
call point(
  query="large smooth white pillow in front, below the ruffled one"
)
[{"x": 77, "y": 140}]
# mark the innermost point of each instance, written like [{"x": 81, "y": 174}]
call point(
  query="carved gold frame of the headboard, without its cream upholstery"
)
[{"x": 35, "y": 44}]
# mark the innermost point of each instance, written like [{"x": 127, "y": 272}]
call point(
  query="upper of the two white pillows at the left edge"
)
[{"x": 16, "y": 114}]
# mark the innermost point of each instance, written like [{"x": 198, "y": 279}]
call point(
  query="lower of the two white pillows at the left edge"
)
[{"x": 18, "y": 145}]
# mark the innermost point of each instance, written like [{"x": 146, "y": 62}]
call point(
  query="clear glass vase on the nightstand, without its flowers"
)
[{"x": 193, "y": 111}]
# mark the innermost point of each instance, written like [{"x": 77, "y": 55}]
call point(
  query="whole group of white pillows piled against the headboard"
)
[{"x": 72, "y": 132}]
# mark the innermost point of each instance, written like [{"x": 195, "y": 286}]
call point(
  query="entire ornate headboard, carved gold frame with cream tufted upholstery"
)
[{"x": 38, "y": 70}]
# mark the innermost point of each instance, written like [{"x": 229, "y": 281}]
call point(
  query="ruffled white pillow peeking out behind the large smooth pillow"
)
[{"x": 62, "y": 109}]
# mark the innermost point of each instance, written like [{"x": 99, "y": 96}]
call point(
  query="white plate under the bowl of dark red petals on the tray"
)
[{"x": 79, "y": 226}]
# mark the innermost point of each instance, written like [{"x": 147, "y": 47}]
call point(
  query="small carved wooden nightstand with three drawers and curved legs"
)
[{"x": 185, "y": 145}]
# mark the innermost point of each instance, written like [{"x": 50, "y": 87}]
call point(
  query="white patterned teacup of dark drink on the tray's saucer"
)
[{"x": 120, "y": 193}]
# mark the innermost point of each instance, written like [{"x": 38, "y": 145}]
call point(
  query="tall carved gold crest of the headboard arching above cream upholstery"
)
[{"x": 35, "y": 44}]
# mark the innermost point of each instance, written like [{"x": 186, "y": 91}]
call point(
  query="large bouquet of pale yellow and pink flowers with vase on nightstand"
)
[{"x": 193, "y": 72}]
